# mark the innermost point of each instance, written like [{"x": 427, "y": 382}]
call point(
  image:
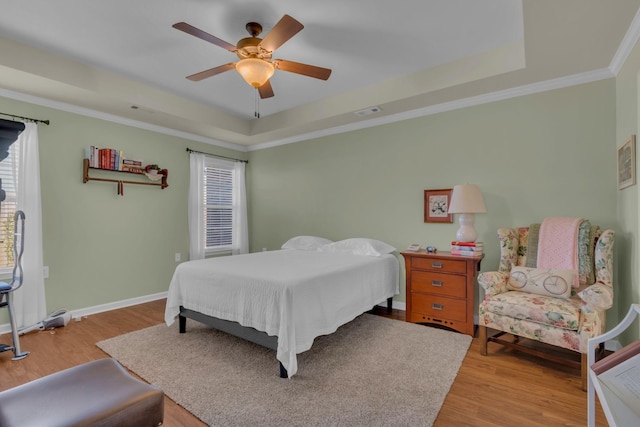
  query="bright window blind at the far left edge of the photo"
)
[{"x": 8, "y": 175}]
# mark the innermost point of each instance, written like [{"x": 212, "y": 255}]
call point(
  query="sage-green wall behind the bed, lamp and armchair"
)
[{"x": 547, "y": 154}]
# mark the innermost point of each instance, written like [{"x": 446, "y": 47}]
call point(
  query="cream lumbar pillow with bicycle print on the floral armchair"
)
[{"x": 543, "y": 281}]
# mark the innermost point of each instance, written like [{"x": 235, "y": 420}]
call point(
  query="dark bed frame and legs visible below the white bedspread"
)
[{"x": 236, "y": 329}]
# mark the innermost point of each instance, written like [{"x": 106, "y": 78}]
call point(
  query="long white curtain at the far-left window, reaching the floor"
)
[{"x": 30, "y": 299}]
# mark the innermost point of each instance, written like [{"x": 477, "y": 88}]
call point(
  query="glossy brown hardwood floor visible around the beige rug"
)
[{"x": 505, "y": 388}]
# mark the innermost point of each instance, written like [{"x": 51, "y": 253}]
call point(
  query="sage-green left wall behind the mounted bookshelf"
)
[{"x": 100, "y": 247}]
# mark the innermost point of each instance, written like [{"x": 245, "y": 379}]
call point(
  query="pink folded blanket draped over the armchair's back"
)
[{"x": 558, "y": 243}]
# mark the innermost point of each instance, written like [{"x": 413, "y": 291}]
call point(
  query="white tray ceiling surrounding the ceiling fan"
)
[{"x": 401, "y": 56}]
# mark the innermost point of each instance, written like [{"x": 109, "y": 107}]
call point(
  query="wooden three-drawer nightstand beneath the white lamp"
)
[{"x": 440, "y": 289}]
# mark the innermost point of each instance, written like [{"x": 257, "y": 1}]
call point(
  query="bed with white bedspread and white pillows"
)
[{"x": 284, "y": 299}]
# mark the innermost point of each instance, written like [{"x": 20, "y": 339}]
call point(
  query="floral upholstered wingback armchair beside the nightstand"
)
[{"x": 548, "y": 311}]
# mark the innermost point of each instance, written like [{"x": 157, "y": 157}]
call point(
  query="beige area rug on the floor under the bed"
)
[{"x": 372, "y": 371}]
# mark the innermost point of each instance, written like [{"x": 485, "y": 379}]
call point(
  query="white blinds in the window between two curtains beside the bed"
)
[{"x": 218, "y": 198}]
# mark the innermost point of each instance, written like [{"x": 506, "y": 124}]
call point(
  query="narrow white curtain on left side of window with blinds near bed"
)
[{"x": 195, "y": 209}]
